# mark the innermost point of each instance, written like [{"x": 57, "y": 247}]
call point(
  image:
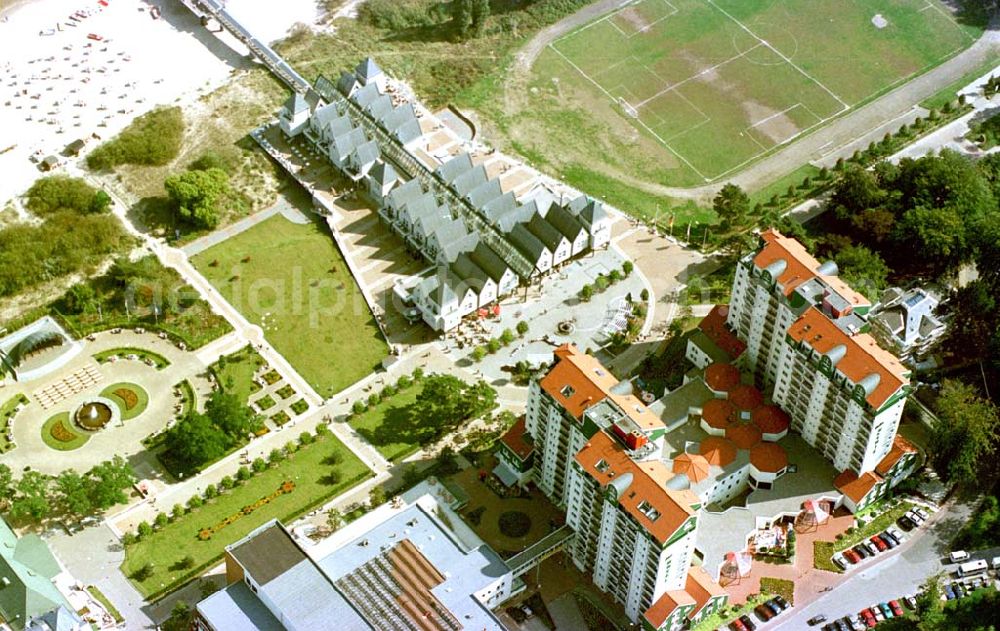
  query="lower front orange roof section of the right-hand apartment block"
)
[{"x": 863, "y": 357}]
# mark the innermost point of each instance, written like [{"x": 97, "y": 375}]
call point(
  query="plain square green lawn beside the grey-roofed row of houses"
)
[{"x": 292, "y": 281}]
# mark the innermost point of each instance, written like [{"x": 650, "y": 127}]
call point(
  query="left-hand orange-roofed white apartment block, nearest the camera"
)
[{"x": 594, "y": 449}]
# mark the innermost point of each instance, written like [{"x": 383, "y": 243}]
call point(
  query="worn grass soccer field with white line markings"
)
[{"x": 718, "y": 83}]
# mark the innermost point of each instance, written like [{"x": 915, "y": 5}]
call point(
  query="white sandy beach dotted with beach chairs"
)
[{"x": 83, "y": 69}]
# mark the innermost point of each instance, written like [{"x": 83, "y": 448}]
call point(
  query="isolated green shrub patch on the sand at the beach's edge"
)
[{"x": 153, "y": 139}]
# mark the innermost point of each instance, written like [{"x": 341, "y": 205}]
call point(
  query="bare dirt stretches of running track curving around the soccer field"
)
[{"x": 843, "y": 130}]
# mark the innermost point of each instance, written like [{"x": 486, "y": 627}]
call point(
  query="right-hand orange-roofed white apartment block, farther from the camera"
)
[{"x": 803, "y": 328}]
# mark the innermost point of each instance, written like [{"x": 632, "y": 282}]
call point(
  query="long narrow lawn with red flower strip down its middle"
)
[{"x": 308, "y": 468}]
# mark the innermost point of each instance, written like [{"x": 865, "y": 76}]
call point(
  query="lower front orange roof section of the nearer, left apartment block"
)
[{"x": 648, "y": 484}]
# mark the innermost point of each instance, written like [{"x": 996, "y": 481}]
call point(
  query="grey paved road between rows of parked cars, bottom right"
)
[{"x": 896, "y": 573}]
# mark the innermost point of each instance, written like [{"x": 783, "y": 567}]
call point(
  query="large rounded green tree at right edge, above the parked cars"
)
[{"x": 965, "y": 436}]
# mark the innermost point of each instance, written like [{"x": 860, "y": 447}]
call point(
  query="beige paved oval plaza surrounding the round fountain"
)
[{"x": 120, "y": 437}]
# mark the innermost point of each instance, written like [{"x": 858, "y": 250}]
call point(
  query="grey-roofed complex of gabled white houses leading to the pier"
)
[{"x": 480, "y": 239}]
